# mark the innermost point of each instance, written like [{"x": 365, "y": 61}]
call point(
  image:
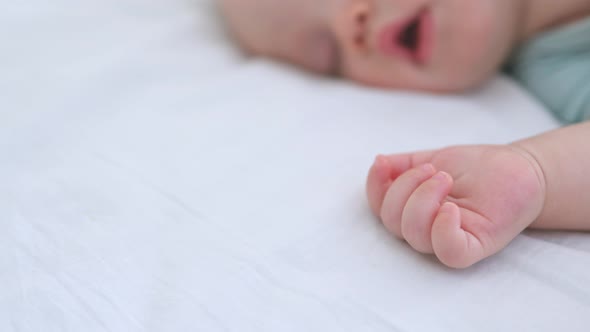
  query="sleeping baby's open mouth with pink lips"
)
[{"x": 410, "y": 39}]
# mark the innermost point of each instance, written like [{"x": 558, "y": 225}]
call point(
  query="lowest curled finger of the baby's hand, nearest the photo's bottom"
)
[{"x": 454, "y": 246}]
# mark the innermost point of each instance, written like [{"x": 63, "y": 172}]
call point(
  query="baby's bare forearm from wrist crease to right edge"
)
[{"x": 564, "y": 158}]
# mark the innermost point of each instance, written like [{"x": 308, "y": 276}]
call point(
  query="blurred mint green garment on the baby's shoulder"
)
[{"x": 555, "y": 67}]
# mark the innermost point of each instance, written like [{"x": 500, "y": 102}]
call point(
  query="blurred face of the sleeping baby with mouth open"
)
[{"x": 434, "y": 45}]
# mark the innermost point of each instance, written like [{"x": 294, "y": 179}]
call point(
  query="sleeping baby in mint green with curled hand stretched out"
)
[{"x": 461, "y": 203}]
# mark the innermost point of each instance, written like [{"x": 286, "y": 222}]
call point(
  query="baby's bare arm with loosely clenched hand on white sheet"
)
[{"x": 465, "y": 203}]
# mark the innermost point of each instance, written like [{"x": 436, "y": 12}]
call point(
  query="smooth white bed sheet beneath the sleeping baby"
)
[{"x": 153, "y": 179}]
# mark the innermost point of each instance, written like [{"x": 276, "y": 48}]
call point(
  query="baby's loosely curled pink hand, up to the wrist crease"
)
[{"x": 461, "y": 203}]
